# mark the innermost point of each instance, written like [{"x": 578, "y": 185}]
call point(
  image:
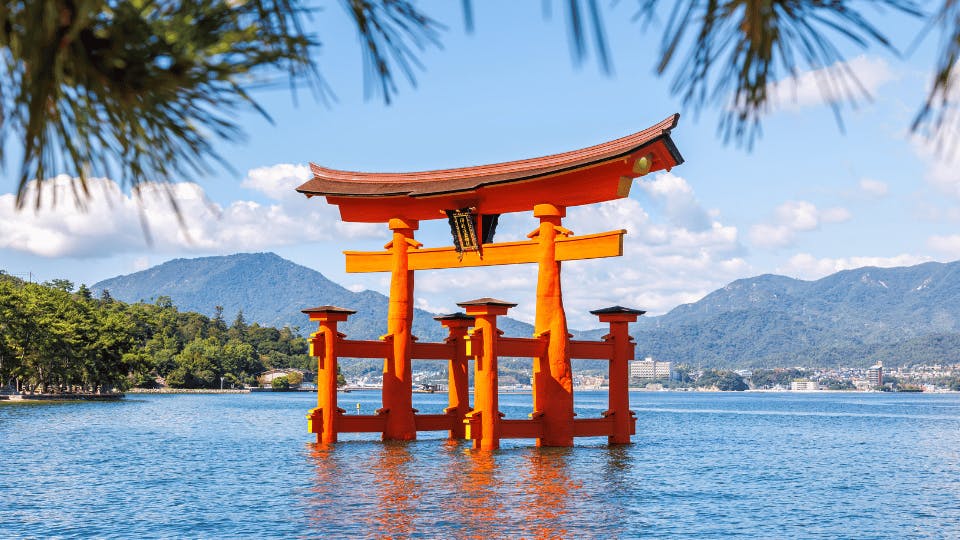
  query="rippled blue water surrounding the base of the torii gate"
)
[{"x": 702, "y": 465}]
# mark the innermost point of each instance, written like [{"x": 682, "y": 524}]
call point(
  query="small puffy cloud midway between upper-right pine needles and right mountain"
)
[{"x": 792, "y": 217}]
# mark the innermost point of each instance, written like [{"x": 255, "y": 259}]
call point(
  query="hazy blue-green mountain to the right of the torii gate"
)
[{"x": 853, "y": 317}]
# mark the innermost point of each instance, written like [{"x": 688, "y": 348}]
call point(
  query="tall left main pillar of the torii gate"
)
[{"x": 397, "y": 375}]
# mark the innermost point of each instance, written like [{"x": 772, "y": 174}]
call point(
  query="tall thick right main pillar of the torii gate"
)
[{"x": 552, "y": 376}]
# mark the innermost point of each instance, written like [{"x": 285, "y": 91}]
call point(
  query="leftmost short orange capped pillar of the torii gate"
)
[{"x": 323, "y": 345}]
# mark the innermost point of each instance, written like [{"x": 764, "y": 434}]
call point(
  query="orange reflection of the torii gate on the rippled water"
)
[{"x": 442, "y": 488}]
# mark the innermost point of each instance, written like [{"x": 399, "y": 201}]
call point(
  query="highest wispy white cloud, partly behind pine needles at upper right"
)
[{"x": 818, "y": 87}]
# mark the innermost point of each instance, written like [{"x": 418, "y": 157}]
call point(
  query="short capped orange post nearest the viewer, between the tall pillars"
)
[{"x": 486, "y": 402}]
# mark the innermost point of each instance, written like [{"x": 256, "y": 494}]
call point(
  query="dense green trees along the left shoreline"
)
[{"x": 57, "y": 339}]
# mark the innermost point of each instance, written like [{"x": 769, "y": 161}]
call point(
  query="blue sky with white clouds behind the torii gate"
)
[{"x": 808, "y": 199}]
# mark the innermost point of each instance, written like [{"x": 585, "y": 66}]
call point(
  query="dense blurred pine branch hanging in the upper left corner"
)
[{"x": 90, "y": 86}]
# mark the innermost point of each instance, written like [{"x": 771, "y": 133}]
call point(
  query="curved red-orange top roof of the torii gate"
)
[{"x": 589, "y": 175}]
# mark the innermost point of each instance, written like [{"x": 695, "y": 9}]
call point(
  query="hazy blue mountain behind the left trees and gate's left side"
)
[{"x": 271, "y": 291}]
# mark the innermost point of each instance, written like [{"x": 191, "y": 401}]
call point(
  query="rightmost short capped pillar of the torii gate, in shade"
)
[{"x": 624, "y": 421}]
